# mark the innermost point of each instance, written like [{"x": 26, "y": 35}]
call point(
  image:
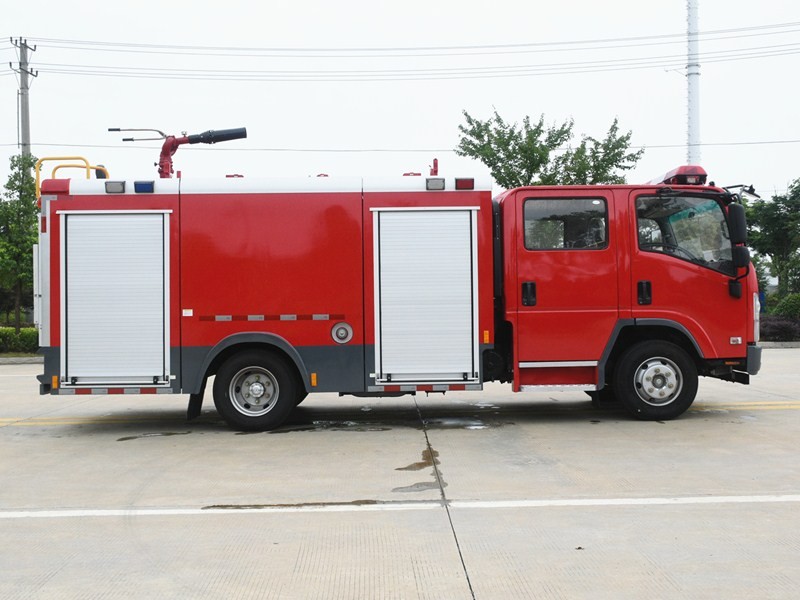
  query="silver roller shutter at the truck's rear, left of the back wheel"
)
[{"x": 115, "y": 319}]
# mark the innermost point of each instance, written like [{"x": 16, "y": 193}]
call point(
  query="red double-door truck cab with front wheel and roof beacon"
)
[{"x": 625, "y": 291}]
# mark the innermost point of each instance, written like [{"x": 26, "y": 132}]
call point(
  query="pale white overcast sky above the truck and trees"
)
[{"x": 378, "y": 88}]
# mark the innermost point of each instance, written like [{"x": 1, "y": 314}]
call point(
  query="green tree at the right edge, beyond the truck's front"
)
[{"x": 774, "y": 231}]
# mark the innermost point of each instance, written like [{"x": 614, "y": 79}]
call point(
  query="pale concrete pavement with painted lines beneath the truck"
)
[{"x": 484, "y": 495}]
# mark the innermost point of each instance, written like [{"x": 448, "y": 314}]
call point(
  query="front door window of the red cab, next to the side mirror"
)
[{"x": 690, "y": 228}]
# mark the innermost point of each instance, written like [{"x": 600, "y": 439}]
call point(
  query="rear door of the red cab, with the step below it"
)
[{"x": 566, "y": 287}]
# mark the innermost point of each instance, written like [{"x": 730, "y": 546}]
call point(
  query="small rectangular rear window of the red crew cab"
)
[{"x": 566, "y": 224}]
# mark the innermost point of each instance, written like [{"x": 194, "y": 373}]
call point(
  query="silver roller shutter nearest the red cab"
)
[{"x": 425, "y": 296}]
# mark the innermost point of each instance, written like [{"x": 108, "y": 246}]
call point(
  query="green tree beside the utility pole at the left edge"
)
[{"x": 18, "y": 232}]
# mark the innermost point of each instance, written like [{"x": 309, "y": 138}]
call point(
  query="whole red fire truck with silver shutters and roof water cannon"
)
[{"x": 277, "y": 288}]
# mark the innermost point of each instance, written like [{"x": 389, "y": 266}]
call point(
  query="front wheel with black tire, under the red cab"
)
[{"x": 655, "y": 381}]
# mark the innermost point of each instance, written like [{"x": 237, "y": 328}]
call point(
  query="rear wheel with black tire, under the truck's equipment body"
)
[{"x": 255, "y": 390}]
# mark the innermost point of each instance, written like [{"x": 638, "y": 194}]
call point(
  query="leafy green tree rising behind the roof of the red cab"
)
[{"x": 536, "y": 154}]
